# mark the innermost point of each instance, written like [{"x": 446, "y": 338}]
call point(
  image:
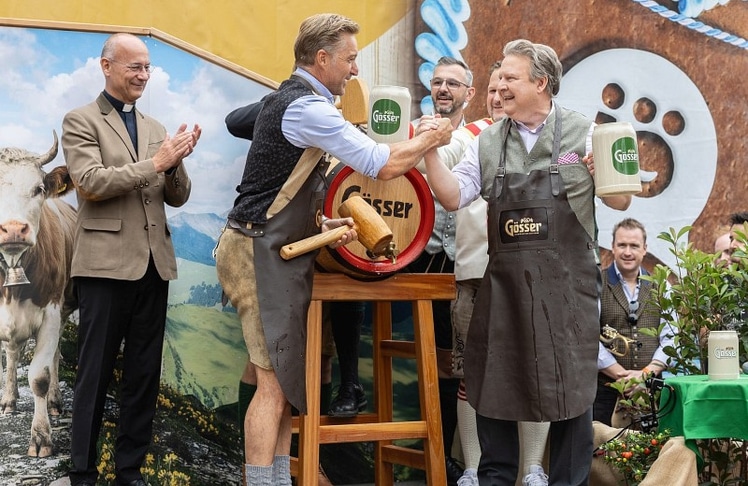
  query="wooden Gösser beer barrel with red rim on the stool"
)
[{"x": 404, "y": 203}]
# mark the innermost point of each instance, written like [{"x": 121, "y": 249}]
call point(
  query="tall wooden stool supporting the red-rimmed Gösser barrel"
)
[{"x": 379, "y": 426}]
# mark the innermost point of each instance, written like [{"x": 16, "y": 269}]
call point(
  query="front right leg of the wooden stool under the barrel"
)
[{"x": 428, "y": 390}]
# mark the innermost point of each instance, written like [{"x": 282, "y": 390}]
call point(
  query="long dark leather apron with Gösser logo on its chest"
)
[{"x": 531, "y": 352}]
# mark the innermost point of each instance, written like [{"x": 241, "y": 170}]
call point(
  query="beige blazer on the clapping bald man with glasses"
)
[{"x": 121, "y": 198}]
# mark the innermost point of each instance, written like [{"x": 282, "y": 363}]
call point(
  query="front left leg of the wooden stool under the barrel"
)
[{"x": 309, "y": 423}]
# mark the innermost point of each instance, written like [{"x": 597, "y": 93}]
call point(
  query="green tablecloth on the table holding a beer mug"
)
[{"x": 696, "y": 408}]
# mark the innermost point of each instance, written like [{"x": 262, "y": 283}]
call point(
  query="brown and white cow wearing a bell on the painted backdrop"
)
[{"x": 36, "y": 241}]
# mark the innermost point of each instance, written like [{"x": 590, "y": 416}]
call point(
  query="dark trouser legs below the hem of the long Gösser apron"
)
[{"x": 570, "y": 451}]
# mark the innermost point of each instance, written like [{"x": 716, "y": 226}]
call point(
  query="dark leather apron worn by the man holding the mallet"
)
[{"x": 284, "y": 287}]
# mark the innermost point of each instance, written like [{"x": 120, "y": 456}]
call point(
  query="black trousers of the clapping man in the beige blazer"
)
[{"x": 110, "y": 311}]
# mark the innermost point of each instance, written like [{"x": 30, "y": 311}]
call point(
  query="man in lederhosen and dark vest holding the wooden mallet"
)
[{"x": 280, "y": 201}]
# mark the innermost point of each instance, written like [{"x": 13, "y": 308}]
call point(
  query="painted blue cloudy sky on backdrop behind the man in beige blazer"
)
[{"x": 46, "y": 73}]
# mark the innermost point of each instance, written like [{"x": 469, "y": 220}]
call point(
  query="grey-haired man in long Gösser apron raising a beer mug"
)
[{"x": 532, "y": 343}]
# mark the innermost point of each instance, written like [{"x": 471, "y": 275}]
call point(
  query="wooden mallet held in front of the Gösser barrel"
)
[{"x": 372, "y": 231}]
